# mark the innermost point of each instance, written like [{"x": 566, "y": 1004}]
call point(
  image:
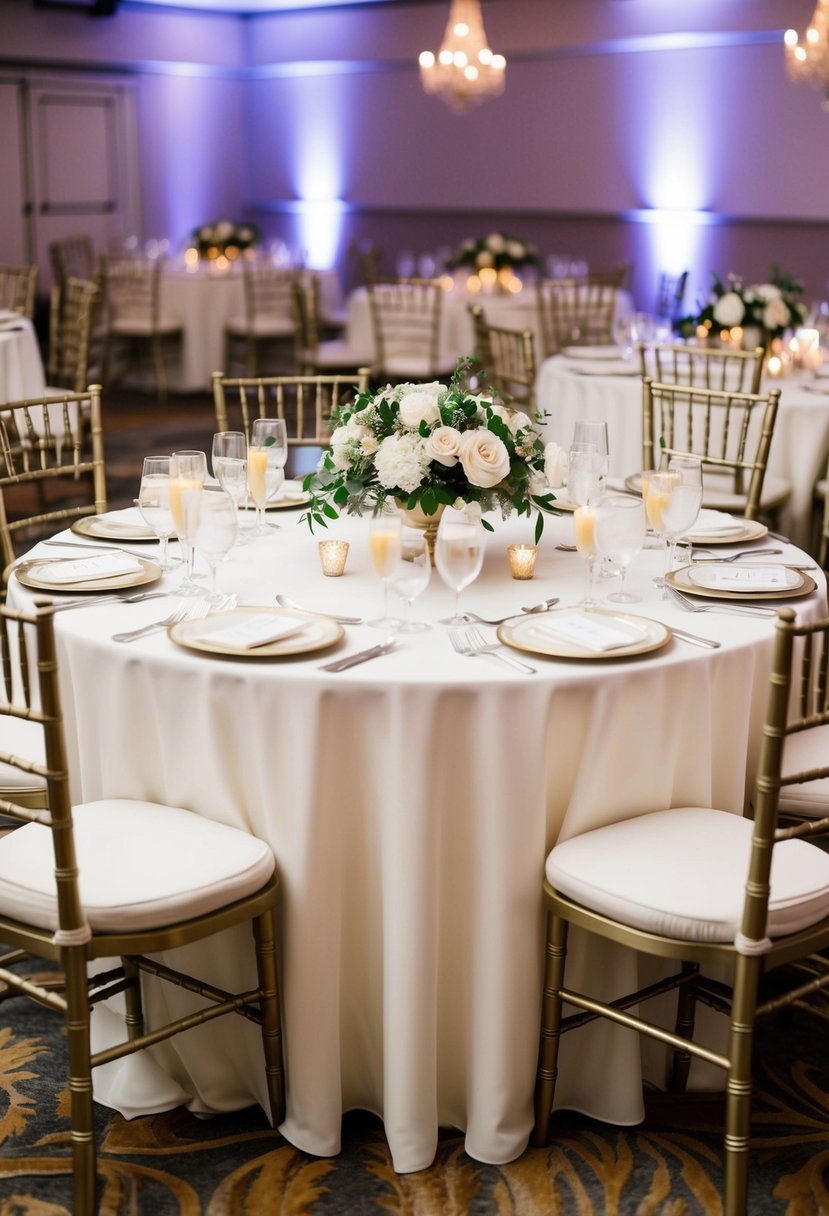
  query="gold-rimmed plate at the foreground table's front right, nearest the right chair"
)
[{"x": 539, "y": 638}]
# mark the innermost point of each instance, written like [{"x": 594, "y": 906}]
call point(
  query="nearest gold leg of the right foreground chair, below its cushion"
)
[{"x": 738, "y": 1093}]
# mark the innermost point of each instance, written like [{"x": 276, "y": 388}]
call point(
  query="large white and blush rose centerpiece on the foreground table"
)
[{"x": 431, "y": 446}]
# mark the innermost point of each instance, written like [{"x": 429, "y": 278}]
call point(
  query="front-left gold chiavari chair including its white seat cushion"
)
[{"x": 106, "y": 881}]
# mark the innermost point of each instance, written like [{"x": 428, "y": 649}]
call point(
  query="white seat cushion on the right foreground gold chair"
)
[{"x": 683, "y": 874}]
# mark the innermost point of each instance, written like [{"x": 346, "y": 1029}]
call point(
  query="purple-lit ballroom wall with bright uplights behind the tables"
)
[{"x": 663, "y": 136}]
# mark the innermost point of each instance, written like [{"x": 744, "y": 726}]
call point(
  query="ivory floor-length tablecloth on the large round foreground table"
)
[{"x": 410, "y": 803}]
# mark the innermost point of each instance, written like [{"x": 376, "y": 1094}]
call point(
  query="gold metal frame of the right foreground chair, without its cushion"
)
[{"x": 748, "y": 961}]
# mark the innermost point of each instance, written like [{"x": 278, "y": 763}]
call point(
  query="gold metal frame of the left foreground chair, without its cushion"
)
[{"x": 75, "y": 945}]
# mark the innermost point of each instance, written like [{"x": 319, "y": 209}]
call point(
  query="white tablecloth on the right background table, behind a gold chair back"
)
[{"x": 569, "y": 390}]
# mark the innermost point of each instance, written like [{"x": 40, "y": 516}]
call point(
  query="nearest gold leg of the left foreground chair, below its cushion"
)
[{"x": 81, "y": 1083}]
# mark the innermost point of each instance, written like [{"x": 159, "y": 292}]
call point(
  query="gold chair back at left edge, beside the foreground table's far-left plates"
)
[{"x": 48, "y": 476}]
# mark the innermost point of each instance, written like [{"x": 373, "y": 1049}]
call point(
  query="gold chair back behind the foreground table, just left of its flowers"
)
[{"x": 304, "y": 402}]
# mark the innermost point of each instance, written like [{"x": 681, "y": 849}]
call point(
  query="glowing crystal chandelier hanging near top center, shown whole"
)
[{"x": 465, "y": 71}]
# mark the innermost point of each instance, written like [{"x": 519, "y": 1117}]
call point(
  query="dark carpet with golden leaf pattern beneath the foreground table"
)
[{"x": 236, "y": 1166}]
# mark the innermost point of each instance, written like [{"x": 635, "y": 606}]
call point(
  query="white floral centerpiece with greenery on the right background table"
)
[{"x": 768, "y": 309}]
